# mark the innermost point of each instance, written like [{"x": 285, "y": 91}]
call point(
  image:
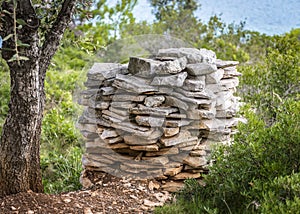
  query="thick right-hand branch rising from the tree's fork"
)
[{"x": 55, "y": 34}]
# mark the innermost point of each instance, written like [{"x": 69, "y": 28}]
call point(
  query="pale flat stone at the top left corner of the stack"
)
[{"x": 102, "y": 71}]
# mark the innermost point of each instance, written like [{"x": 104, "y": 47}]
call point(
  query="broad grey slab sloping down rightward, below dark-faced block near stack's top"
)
[{"x": 133, "y": 84}]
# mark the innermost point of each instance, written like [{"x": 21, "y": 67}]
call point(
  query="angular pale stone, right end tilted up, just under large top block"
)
[{"x": 171, "y": 80}]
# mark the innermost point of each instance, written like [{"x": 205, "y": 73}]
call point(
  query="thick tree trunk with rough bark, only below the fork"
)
[{"x": 19, "y": 150}]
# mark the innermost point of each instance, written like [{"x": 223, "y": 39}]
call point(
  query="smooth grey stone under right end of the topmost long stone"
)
[{"x": 201, "y": 69}]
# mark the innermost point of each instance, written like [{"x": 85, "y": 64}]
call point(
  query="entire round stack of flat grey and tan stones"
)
[{"x": 159, "y": 118}]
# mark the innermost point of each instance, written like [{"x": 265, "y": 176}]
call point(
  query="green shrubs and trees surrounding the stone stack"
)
[{"x": 259, "y": 173}]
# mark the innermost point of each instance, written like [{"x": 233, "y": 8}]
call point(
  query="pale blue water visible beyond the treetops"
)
[{"x": 266, "y": 16}]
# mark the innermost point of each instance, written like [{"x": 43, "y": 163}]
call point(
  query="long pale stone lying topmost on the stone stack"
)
[{"x": 192, "y": 55}]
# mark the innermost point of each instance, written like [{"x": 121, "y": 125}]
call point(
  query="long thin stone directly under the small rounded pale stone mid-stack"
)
[{"x": 158, "y": 111}]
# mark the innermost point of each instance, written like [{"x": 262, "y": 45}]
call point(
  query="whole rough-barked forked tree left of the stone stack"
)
[{"x": 20, "y": 139}]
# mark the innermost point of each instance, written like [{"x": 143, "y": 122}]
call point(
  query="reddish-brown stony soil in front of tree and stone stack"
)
[{"x": 109, "y": 195}]
